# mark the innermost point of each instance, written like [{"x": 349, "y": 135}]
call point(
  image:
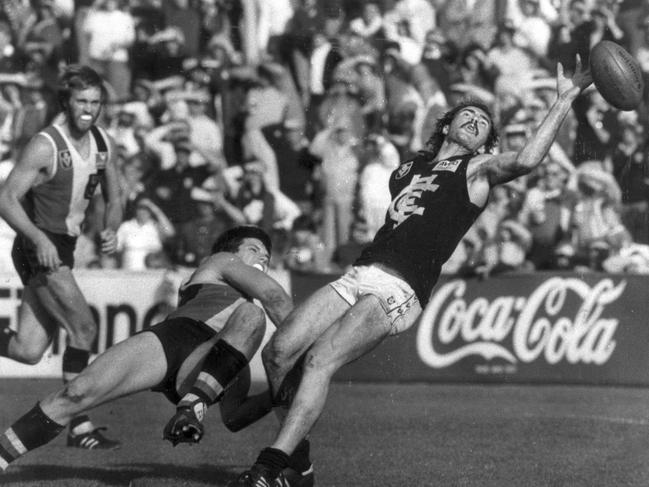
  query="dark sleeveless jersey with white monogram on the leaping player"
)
[{"x": 429, "y": 214}]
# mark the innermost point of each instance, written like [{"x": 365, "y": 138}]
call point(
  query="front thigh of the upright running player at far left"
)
[{"x": 63, "y": 299}]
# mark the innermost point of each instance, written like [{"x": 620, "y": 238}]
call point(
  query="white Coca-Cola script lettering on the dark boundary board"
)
[{"x": 520, "y": 328}]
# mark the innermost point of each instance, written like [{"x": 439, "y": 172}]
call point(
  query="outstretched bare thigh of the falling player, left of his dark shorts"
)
[{"x": 135, "y": 364}]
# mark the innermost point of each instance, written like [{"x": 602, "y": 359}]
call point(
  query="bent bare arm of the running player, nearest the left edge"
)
[{"x": 33, "y": 168}]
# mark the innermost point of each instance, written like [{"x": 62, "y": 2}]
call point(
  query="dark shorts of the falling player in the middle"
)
[{"x": 179, "y": 338}]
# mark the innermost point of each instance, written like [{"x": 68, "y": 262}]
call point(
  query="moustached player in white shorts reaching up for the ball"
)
[{"x": 437, "y": 196}]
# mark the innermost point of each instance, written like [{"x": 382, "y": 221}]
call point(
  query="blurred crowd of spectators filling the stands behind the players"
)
[{"x": 291, "y": 115}]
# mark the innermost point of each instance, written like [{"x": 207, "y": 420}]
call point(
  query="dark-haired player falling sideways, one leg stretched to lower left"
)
[{"x": 216, "y": 330}]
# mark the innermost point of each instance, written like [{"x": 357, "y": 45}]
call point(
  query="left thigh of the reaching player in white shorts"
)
[{"x": 308, "y": 321}]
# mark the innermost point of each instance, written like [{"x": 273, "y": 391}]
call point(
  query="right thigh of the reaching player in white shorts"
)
[{"x": 358, "y": 331}]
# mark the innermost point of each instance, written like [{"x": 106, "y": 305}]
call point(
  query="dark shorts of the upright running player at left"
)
[{"x": 24, "y": 257}]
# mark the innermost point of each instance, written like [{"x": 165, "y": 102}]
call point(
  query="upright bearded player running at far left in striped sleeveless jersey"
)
[{"x": 44, "y": 200}]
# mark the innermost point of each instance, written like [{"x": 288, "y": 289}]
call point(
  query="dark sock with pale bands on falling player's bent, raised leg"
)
[{"x": 222, "y": 365}]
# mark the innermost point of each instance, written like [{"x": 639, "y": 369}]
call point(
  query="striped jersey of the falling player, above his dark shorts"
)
[{"x": 210, "y": 303}]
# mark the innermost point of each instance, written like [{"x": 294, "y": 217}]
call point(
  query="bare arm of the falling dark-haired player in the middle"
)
[{"x": 256, "y": 284}]
